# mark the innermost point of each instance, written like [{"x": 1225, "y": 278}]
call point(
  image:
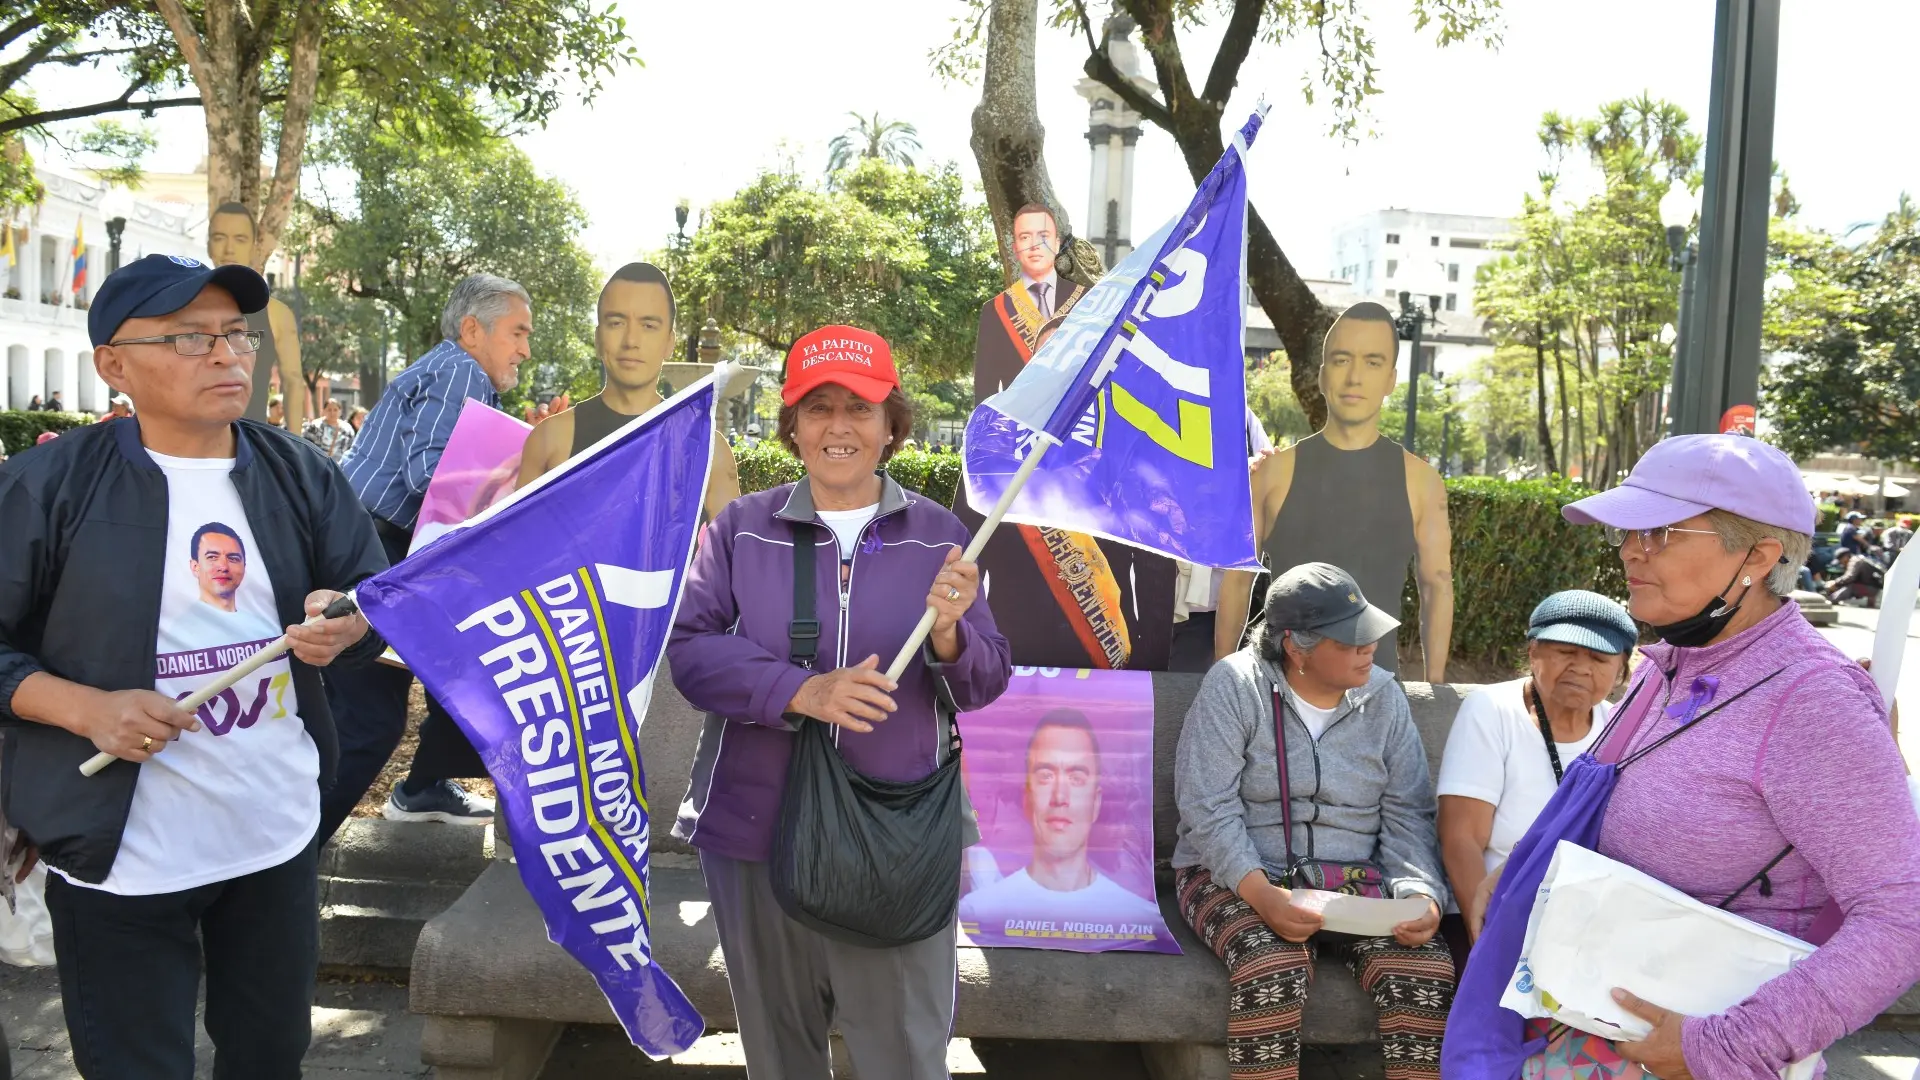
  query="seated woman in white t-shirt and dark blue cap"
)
[{"x": 1512, "y": 741}]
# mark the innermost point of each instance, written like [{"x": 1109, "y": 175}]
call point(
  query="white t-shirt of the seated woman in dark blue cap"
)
[{"x": 1497, "y": 756}]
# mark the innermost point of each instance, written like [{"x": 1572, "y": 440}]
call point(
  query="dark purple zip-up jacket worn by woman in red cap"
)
[{"x": 731, "y": 652}]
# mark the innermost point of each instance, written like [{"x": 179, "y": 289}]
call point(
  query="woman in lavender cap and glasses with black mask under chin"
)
[{"x": 1750, "y": 766}]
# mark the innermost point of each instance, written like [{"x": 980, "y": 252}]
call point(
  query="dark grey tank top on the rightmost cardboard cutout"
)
[{"x": 1351, "y": 508}]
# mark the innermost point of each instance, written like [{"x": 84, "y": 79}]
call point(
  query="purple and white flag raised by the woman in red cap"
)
[{"x": 1141, "y": 395}]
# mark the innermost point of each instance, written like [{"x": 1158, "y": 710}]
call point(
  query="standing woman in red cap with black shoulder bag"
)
[{"x": 878, "y": 547}]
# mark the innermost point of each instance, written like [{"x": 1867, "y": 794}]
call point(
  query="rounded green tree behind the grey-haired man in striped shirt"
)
[{"x": 421, "y": 218}]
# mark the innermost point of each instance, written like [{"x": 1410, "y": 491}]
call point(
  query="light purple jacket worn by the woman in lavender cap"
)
[{"x": 1806, "y": 760}]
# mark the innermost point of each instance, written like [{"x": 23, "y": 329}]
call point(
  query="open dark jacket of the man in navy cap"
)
[{"x": 84, "y": 535}]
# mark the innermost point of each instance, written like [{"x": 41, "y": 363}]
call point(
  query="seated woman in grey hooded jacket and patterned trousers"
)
[{"x": 1301, "y": 770}]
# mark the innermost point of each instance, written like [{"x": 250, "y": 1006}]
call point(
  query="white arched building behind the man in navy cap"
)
[{"x": 43, "y": 320}]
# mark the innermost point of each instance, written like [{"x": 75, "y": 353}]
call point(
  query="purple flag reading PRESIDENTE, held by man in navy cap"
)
[{"x": 540, "y": 627}]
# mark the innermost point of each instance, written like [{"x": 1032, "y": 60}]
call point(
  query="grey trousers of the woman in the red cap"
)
[{"x": 894, "y": 1008}]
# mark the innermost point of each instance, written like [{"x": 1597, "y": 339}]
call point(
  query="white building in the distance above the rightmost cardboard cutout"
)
[{"x": 1428, "y": 255}]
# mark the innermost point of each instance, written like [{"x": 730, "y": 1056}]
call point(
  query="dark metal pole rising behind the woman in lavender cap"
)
[{"x": 1725, "y": 320}]
